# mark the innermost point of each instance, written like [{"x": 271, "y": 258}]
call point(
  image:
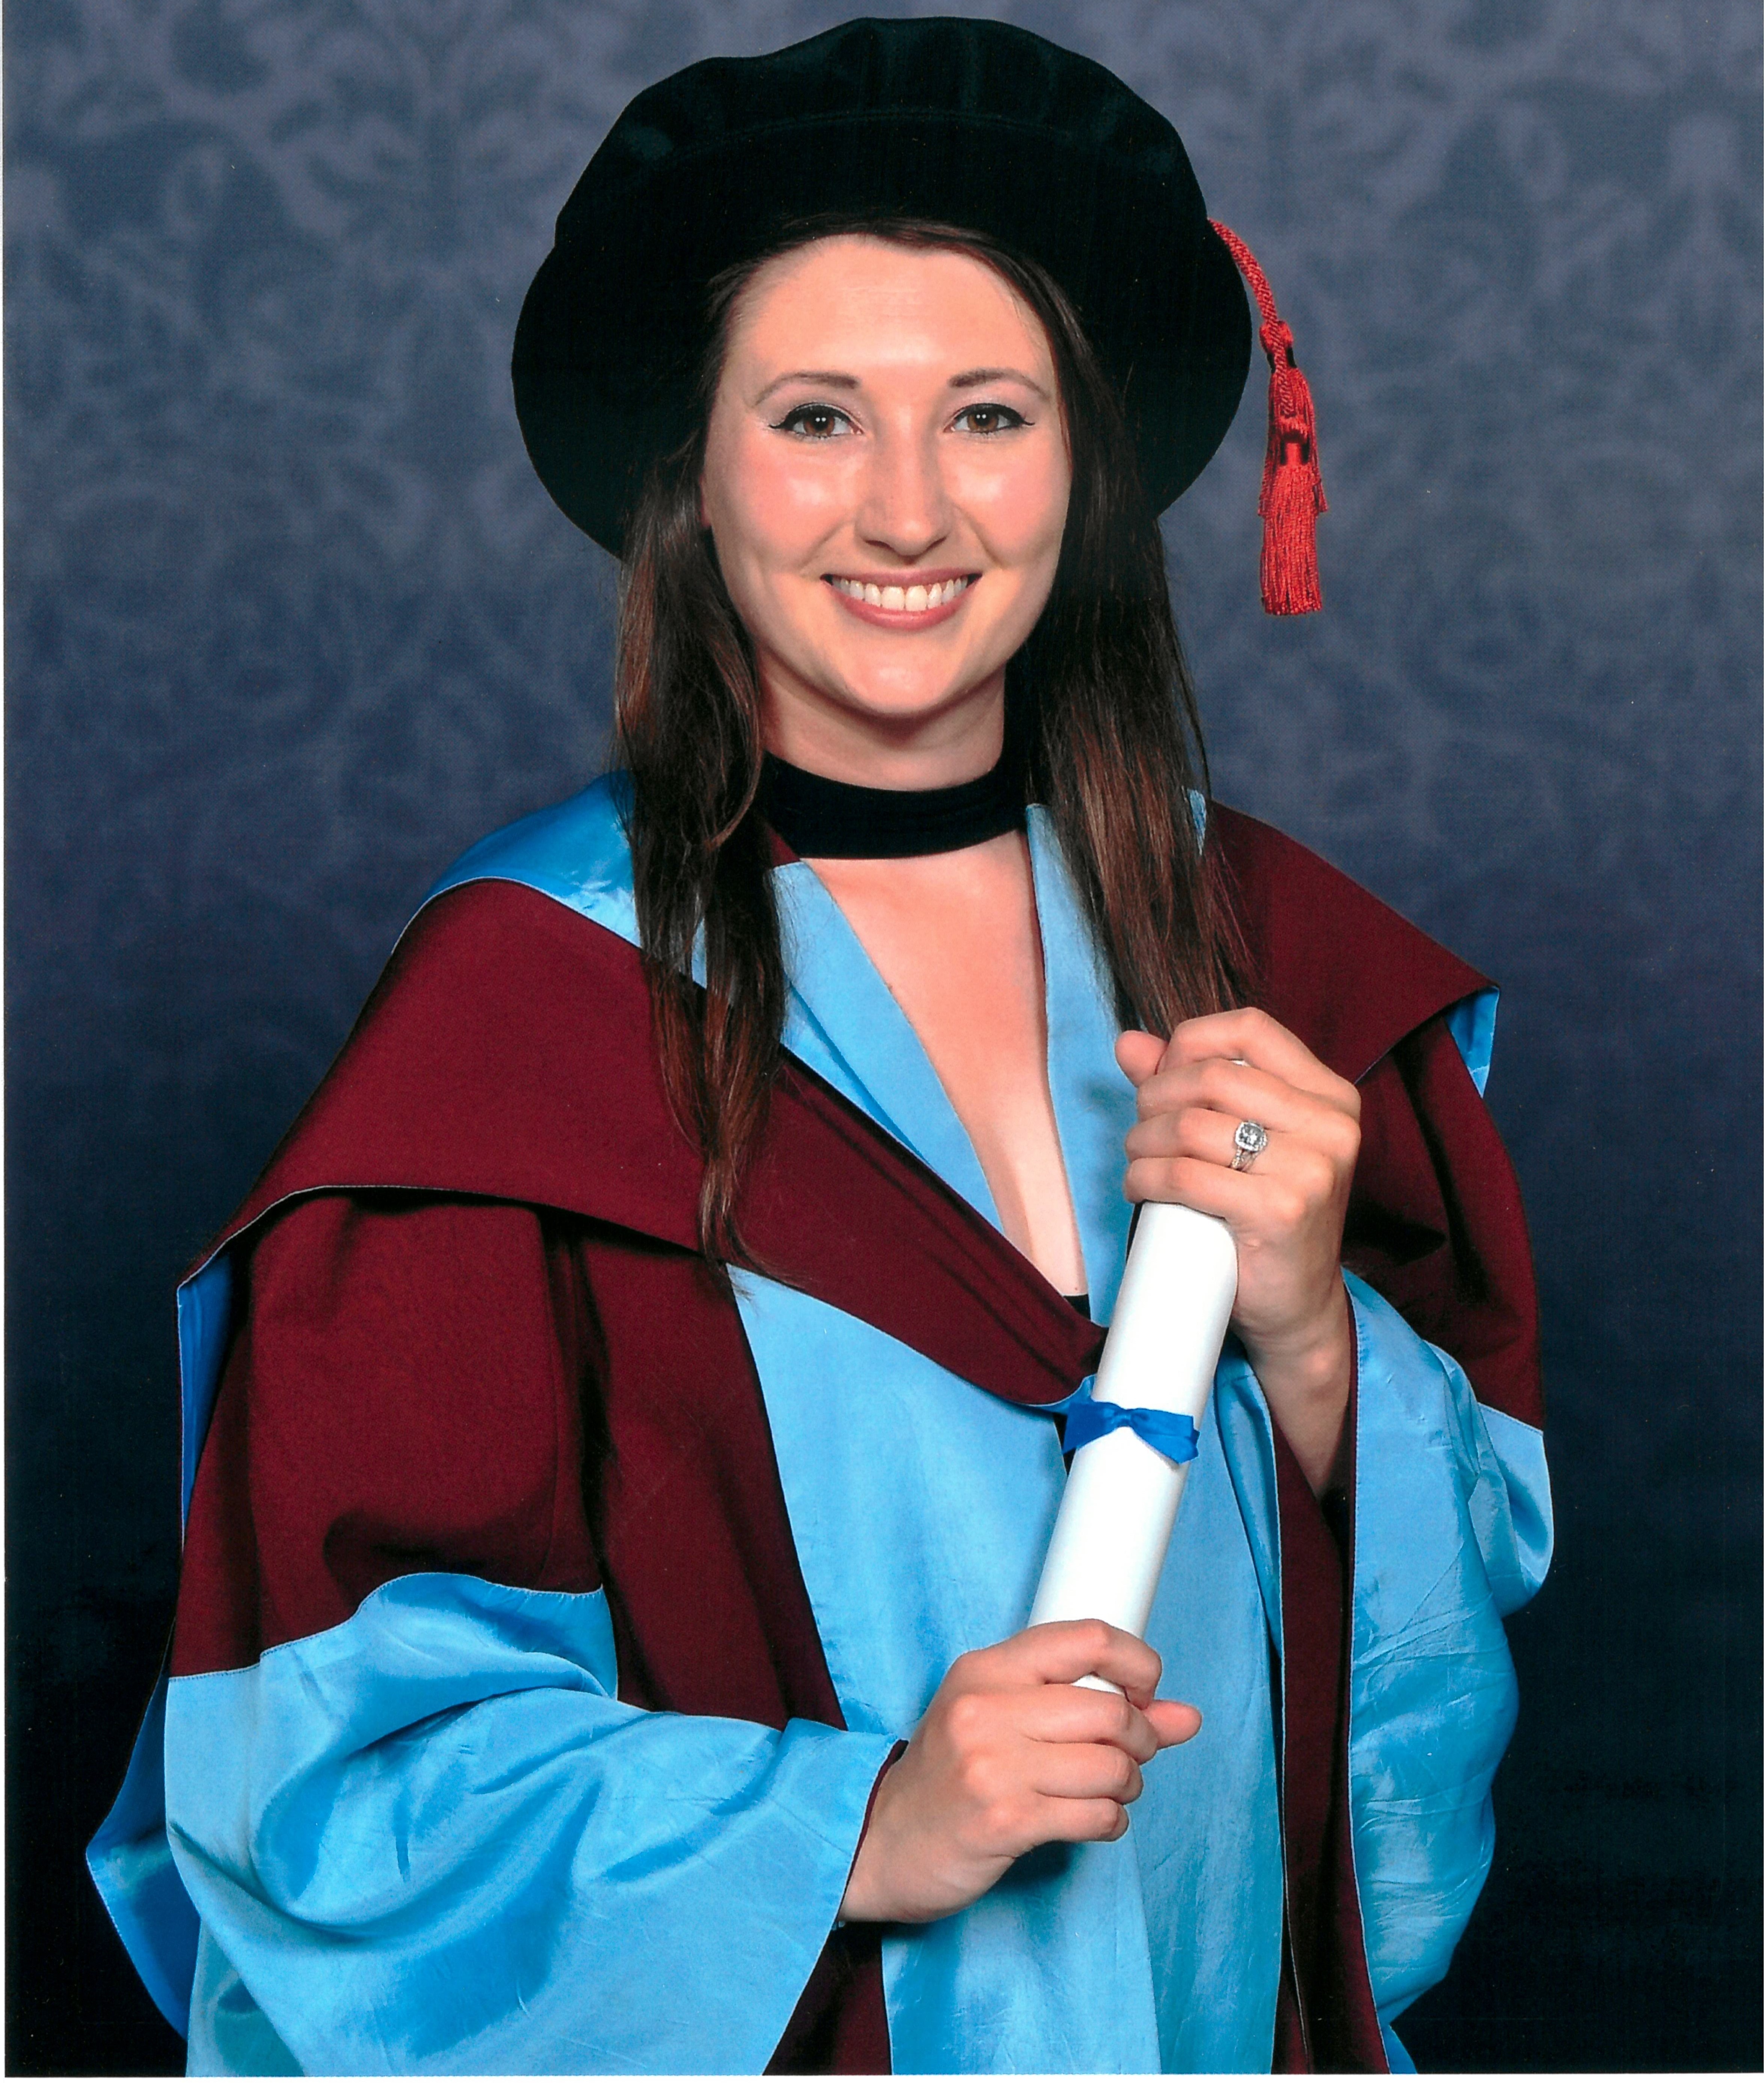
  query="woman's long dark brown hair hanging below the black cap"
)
[{"x": 1101, "y": 705}]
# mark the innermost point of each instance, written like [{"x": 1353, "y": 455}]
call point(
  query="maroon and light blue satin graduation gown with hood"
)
[{"x": 553, "y": 1601}]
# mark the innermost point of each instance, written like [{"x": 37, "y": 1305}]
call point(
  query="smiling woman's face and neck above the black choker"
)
[{"x": 886, "y": 482}]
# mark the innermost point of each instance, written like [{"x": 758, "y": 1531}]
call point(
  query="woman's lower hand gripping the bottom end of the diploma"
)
[{"x": 1011, "y": 1755}]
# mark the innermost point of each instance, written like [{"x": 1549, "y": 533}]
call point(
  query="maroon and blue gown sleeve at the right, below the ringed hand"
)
[{"x": 1451, "y": 1522}]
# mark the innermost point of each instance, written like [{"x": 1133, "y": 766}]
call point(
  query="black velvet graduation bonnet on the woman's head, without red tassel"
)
[{"x": 969, "y": 124}]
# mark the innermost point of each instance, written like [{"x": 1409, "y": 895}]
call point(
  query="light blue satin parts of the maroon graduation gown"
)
[{"x": 436, "y": 1840}]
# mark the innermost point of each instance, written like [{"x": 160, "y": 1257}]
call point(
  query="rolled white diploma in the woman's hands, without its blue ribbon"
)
[{"x": 1161, "y": 1353}]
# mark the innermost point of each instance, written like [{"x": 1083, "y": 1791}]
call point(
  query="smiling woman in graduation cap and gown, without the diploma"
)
[{"x": 636, "y": 1382}]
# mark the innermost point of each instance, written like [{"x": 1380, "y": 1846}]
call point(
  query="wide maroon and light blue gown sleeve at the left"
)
[{"x": 418, "y": 1822}]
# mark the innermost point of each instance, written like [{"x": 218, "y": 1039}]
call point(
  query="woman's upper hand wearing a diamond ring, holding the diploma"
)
[{"x": 1284, "y": 1211}]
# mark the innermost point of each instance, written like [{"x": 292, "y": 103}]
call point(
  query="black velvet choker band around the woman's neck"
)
[{"x": 824, "y": 820}]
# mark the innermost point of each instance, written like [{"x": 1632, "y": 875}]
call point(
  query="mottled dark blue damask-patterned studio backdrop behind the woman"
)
[{"x": 291, "y": 622}]
